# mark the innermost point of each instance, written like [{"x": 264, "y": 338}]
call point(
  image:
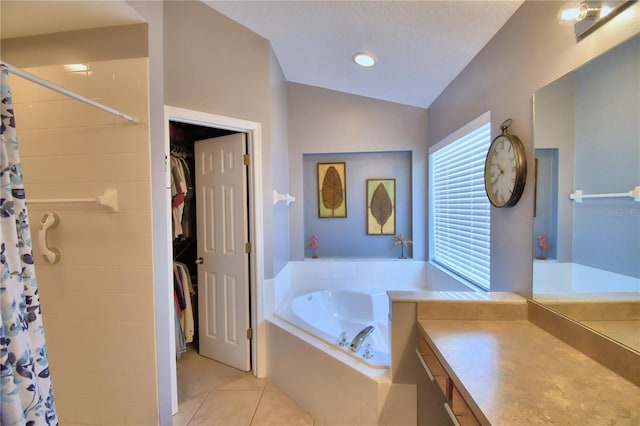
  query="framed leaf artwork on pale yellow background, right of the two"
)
[{"x": 381, "y": 206}]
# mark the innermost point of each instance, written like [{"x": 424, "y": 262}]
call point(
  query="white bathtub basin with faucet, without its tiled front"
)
[{"x": 336, "y": 316}]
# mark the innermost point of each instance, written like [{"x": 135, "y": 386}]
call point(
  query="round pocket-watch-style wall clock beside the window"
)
[{"x": 505, "y": 169}]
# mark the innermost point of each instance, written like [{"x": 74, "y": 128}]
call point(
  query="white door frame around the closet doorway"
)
[{"x": 256, "y": 232}]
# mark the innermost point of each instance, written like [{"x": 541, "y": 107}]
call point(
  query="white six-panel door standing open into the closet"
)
[{"x": 223, "y": 275}]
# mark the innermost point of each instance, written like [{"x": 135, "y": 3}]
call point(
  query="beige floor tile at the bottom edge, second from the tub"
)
[{"x": 228, "y": 408}]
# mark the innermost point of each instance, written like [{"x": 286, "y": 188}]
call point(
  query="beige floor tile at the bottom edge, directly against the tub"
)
[{"x": 276, "y": 409}]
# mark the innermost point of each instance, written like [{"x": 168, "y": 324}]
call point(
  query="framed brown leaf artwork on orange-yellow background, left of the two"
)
[{"x": 332, "y": 190}]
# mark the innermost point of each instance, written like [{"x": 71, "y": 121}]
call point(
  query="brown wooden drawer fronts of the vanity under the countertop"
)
[{"x": 455, "y": 404}]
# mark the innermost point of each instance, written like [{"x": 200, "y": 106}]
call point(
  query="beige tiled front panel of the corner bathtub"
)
[{"x": 332, "y": 390}]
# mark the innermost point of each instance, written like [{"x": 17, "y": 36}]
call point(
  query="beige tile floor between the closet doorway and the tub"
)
[{"x": 210, "y": 393}]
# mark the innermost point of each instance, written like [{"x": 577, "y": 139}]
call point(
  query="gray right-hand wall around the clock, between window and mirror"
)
[{"x": 530, "y": 51}]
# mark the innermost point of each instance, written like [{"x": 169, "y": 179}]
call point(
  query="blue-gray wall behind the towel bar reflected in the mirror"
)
[{"x": 607, "y": 159}]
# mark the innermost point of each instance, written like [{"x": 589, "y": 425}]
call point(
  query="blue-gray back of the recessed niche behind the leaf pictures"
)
[{"x": 347, "y": 237}]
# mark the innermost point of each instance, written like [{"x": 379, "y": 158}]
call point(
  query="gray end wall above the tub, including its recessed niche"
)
[{"x": 324, "y": 121}]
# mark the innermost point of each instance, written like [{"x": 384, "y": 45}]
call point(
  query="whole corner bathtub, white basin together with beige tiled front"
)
[{"x": 333, "y": 384}]
